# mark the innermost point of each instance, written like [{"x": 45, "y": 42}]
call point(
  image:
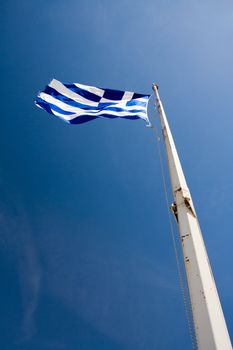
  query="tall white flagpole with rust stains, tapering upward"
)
[{"x": 209, "y": 322}]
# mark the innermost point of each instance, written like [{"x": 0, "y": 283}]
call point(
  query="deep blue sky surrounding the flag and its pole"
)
[{"x": 86, "y": 258}]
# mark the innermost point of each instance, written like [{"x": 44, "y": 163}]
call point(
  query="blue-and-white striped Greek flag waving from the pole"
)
[{"x": 77, "y": 103}]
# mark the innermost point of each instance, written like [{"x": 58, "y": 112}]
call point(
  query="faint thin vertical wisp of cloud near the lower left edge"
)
[{"x": 18, "y": 243}]
